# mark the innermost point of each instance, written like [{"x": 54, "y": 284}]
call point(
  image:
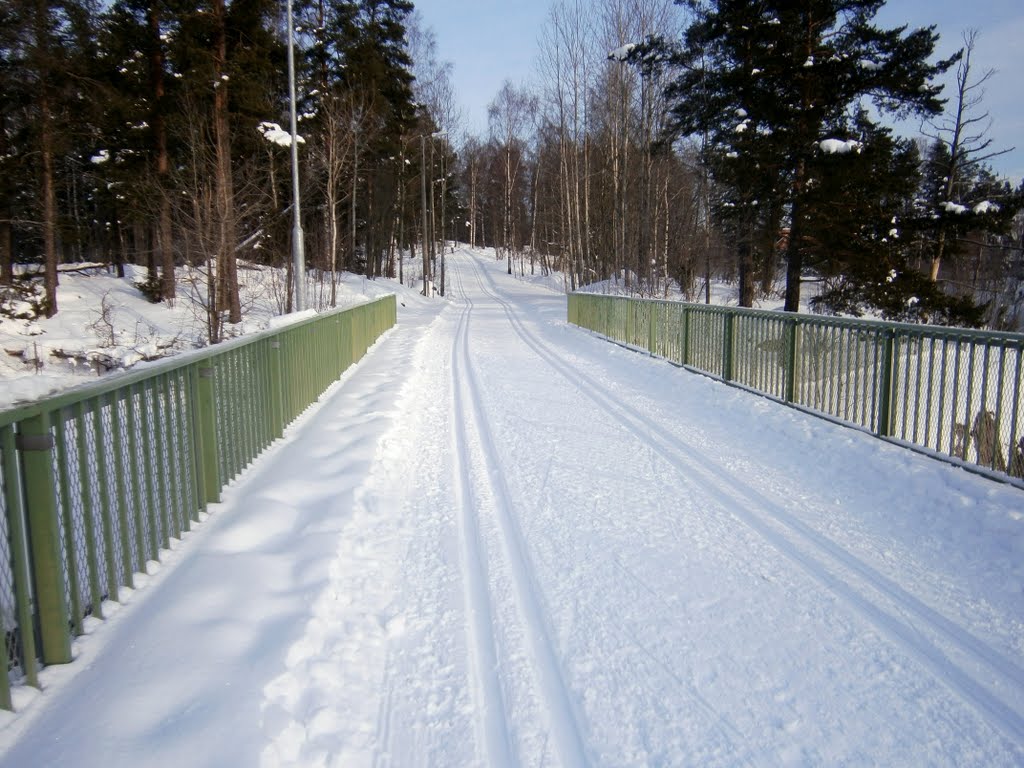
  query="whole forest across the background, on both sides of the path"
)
[{"x": 663, "y": 146}]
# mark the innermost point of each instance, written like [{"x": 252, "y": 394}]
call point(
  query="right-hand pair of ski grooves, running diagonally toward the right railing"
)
[{"x": 819, "y": 557}]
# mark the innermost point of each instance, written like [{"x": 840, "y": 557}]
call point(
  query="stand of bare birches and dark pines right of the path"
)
[{"x": 752, "y": 142}]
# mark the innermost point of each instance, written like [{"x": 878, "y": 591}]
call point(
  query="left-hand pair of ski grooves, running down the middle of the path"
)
[{"x": 563, "y": 718}]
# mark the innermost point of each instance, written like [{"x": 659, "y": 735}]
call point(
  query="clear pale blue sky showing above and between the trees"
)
[{"x": 491, "y": 40}]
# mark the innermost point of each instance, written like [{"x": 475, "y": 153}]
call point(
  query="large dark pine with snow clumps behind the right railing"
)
[{"x": 795, "y": 69}]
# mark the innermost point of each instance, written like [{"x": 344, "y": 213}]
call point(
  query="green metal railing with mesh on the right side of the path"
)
[{"x": 954, "y": 394}]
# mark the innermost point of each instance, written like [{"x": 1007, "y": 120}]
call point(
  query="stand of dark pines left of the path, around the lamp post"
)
[{"x": 149, "y": 133}]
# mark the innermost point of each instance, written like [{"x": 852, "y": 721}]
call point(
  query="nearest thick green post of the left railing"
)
[{"x": 35, "y": 443}]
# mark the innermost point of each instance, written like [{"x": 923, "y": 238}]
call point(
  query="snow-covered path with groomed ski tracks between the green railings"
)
[{"x": 503, "y": 542}]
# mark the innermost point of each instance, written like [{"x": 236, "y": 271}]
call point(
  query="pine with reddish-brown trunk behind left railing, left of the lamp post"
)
[{"x": 231, "y": 62}]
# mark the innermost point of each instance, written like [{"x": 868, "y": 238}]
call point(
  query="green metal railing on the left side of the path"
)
[{"x": 98, "y": 481}]
